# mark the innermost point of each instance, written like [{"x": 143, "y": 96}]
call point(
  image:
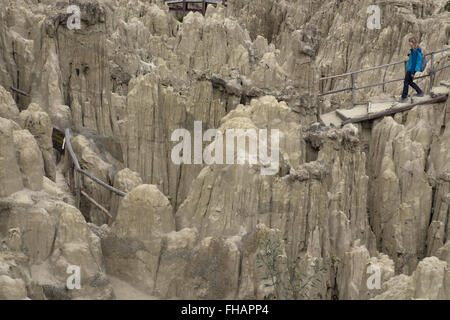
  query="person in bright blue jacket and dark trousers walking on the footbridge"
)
[{"x": 414, "y": 65}]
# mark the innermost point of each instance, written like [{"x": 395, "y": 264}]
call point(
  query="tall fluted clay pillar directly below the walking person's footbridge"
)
[{"x": 402, "y": 200}]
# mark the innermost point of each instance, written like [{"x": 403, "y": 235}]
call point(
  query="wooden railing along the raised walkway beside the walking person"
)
[{"x": 353, "y": 88}]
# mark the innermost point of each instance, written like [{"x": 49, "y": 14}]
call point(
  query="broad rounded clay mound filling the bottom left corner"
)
[{"x": 43, "y": 236}]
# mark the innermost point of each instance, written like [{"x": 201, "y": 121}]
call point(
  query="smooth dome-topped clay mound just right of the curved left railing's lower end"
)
[{"x": 133, "y": 246}]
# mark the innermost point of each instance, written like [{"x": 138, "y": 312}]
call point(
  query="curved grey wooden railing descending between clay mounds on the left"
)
[{"x": 77, "y": 183}]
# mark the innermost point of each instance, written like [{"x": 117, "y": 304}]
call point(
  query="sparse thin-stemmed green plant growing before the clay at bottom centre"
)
[{"x": 287, "y": 285}]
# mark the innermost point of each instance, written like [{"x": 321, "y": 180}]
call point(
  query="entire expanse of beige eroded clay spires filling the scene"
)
[{"x": 357, "y": 198}]
